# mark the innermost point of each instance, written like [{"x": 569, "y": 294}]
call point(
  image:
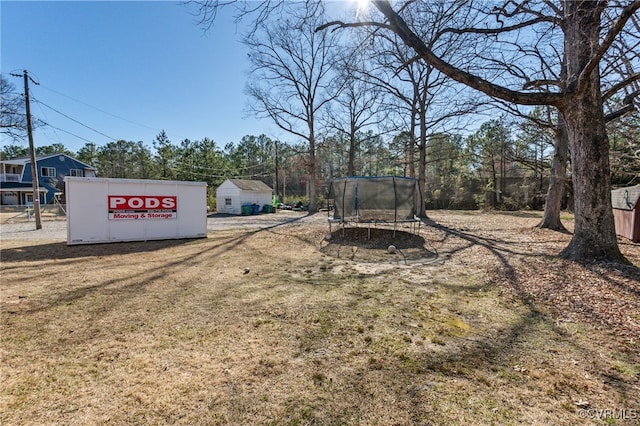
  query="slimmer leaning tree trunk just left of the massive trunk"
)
[{"x": 557, "y": 180}]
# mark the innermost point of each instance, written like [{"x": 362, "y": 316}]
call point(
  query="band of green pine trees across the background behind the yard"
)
[{"x": 502, "y": 165}]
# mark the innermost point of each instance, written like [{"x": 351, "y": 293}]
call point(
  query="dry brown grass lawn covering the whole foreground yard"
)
[{"x": 479, "y": 324}]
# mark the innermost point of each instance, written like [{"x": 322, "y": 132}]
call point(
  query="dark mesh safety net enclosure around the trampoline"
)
[{"x": 374, "y": 199}]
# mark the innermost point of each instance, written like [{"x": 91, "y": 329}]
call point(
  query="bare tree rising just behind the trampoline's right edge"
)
[{"x": 421, "y": 99}]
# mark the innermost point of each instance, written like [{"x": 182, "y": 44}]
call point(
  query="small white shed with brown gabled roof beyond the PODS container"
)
[{"x": 232, "y": 194}]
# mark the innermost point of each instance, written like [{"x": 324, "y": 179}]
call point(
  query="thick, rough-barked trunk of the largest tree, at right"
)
[{"x": 594, "y": 234}]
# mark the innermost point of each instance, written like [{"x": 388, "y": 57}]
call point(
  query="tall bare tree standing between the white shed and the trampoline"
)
[{"x": 292, "y": 66}]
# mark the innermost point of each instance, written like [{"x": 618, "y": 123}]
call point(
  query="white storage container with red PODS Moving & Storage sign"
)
[{"x": 101, "y": 210}]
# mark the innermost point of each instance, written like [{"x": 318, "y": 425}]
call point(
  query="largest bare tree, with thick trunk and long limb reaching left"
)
[{"x": 587, "y": 30}]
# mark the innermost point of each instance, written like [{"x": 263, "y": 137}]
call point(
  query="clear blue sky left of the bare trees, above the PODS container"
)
[{"x": 146, "y": 62}]
